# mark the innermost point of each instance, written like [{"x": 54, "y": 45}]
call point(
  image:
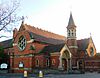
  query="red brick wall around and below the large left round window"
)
[{"x": 27, "y": 60}]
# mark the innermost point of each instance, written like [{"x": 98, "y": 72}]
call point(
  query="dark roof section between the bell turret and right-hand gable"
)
[{"x": 83, "y": 44}]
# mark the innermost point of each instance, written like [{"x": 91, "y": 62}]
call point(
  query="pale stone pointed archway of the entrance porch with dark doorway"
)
[{"x": 65, "y": 60}]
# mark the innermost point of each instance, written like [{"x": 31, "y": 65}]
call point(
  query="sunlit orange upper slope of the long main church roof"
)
[{"x": 43, "y": 32}]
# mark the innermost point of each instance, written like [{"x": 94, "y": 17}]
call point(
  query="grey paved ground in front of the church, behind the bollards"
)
[{"x": 86, "y": 75}]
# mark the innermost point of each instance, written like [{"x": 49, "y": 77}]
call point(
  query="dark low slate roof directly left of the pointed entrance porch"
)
[{"x": 52, "y": 48}]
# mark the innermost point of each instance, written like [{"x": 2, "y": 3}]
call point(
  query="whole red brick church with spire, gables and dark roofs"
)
[{"x": 33, "y": 48}]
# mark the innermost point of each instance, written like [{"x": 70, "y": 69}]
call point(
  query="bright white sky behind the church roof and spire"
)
[{"x": 53, "y": 15}]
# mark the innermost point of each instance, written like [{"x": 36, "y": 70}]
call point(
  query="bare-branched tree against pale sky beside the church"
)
[{"x": 8, "y": 15}]
